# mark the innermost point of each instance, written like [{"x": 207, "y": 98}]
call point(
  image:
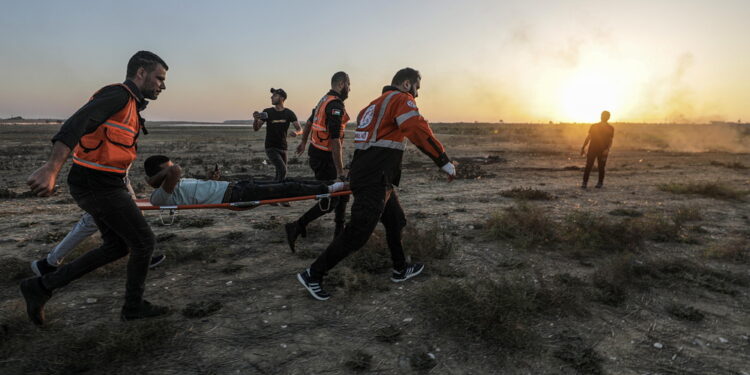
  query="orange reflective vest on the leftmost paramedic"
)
[{"x": 112, "y": 146}]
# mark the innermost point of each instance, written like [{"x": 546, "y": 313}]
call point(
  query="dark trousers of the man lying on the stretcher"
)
[{"x": 252, "y": 190}]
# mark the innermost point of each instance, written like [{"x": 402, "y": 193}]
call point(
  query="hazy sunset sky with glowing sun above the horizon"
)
[{"x": 538, "y": 61}]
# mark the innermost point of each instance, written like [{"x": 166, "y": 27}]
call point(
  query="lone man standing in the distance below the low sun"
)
[{"x": 600, "y": 135}]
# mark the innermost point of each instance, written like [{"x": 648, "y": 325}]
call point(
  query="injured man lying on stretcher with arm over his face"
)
[{"x": 171, "y": 189}]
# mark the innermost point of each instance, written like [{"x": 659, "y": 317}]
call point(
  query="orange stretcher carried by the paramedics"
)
[{"x": 171, "y": 211}]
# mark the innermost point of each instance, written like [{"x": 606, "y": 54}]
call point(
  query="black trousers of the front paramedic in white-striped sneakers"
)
[{"x": 371, "y": 204}]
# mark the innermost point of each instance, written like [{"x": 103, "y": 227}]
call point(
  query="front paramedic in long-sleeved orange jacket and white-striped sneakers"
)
[{"x": 379, "y": 142}]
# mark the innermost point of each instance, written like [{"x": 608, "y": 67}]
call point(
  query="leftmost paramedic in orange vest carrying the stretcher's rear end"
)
[{"x": 102, "y": 137}]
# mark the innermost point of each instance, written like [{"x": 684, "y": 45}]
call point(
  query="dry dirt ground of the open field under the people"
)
[{"x": 238, "y": 308}]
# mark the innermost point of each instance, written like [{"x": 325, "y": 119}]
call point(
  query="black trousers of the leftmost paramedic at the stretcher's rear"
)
[{"x": 123, "y": 229}]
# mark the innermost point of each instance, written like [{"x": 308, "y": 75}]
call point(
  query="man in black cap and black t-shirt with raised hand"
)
[{"x": 277, "y": 120}]
